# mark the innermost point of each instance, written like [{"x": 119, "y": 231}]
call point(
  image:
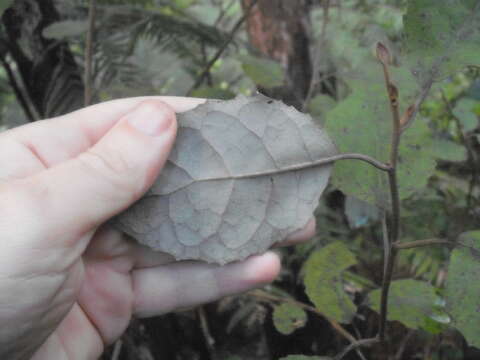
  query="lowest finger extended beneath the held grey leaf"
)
[{"x": 185, "y": 284}]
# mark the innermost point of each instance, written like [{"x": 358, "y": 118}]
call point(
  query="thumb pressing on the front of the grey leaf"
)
[{"x": 78, "y": 195}]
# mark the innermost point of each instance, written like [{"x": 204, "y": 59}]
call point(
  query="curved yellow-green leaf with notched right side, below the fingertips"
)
[{"x": 323, "y": 281}]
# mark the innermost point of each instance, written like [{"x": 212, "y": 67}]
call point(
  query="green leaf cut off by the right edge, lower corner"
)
[{"x": 462, "y": 292}]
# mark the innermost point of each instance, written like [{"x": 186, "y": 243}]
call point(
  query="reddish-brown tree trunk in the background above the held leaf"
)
[{"x": 280, "y": 30}]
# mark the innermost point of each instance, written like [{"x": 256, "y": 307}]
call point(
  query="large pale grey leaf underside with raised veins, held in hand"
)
[{"x": 238, "y": 179}]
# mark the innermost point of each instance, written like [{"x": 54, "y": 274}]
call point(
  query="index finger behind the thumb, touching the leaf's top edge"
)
[{"x": 31, "y": 148}]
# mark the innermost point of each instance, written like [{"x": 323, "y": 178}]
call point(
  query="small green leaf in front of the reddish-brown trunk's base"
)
[{"x": 263, "y": 72}]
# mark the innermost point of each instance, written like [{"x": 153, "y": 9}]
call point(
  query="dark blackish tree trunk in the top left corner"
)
[{"x": 51, "y": 80}]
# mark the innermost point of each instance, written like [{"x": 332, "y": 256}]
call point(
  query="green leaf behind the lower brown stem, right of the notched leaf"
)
[{"x": 411, "y": 302}]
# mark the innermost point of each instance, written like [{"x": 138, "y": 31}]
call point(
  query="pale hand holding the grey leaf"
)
[{"x": 69, "y": 286}]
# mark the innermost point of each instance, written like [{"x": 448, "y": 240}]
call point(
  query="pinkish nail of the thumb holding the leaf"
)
[{"x": 151, "y": 118}]
